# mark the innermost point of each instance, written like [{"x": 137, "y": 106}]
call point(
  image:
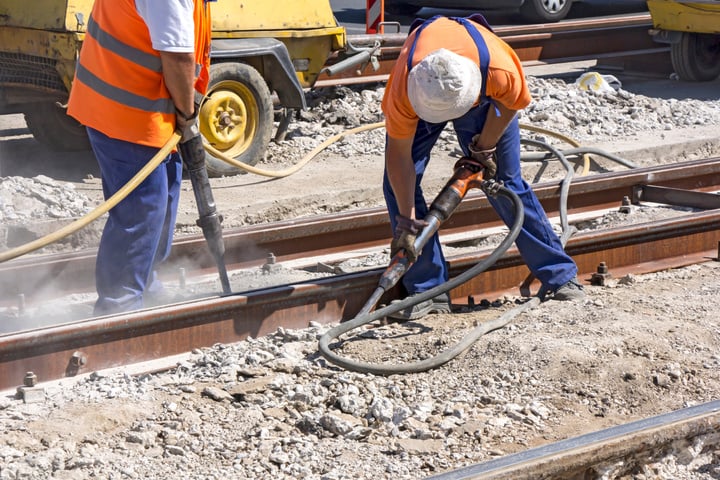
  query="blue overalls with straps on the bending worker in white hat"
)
[{"x": 539, "y": 246}]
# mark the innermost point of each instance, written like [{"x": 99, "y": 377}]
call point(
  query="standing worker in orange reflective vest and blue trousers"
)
[{"x": 142, "y": 65}]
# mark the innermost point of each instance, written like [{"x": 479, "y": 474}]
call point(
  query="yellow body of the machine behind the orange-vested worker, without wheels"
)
[{"x": 54, "y": 29}]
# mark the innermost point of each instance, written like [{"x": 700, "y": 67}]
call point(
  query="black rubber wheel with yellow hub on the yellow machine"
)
[{"x": 236, "y": 117}]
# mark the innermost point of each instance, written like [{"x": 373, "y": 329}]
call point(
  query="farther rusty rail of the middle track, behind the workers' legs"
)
[{"x": 38, "y": 276}]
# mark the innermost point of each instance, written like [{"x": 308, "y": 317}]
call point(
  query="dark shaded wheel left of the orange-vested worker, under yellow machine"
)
[{"x": 51, "y": 126}]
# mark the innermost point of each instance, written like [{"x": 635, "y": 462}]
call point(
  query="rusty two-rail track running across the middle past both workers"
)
[{"x": 94, "y": 344}]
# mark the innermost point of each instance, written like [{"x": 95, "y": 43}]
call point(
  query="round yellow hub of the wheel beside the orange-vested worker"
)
[{"x": 228, "y": 118}]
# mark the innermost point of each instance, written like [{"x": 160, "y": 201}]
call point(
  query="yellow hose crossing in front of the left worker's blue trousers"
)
[{"x": 99, "y": 210}]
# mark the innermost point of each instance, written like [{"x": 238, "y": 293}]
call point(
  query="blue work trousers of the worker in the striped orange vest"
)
[{"x": 139, "y": 230}]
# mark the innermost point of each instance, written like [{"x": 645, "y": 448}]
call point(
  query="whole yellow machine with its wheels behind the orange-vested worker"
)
[{"x": 260, "y": 49}]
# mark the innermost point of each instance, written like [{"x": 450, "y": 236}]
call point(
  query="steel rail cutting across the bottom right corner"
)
[{"x": 618, "y": 449}]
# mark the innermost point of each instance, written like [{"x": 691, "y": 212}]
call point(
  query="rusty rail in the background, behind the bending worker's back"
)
[{"x": 622, "y": 42}]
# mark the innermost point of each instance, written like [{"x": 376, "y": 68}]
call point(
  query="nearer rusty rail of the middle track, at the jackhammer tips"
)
[{"x": 84, "y": 346}]
